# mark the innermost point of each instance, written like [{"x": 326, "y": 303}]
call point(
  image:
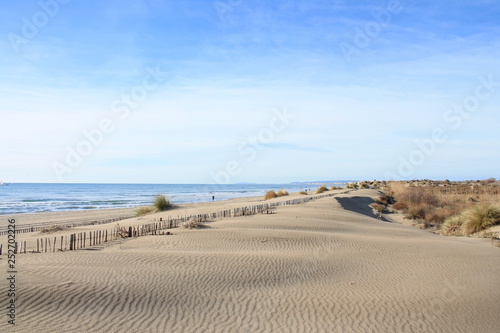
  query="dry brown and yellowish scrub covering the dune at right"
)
[{"x": 452, "y": 208}]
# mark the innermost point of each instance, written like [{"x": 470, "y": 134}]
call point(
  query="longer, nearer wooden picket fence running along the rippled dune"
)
[{"x": 76, "y": 241}]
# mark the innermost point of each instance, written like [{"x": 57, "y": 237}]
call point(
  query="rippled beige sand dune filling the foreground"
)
[{"x": 324, "y": 266}]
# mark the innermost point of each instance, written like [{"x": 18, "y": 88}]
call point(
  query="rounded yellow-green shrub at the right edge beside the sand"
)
[{"x": 479, "y": 217}]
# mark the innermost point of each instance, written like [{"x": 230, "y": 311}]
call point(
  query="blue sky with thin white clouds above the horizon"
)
[{"x": 248, "y": 91}]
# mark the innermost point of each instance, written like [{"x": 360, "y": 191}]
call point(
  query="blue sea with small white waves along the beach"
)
[{"x": 35, "y": 198}]
